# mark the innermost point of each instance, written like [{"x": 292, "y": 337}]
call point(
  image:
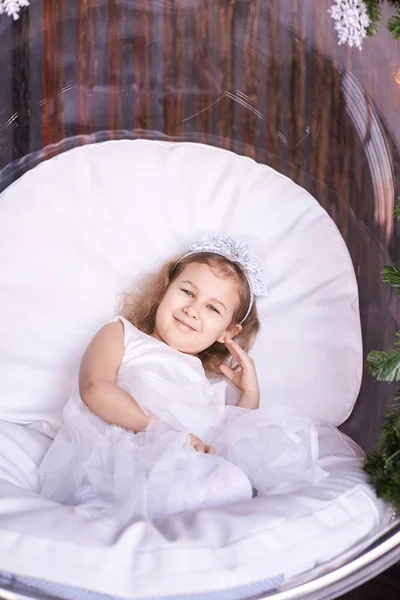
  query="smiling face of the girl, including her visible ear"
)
[{"x": 197, "y": 310}]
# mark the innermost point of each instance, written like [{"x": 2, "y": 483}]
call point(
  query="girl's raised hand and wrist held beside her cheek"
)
[{"x": 245, "y": 379}]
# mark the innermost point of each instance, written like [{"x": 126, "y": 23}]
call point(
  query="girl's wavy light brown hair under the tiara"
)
[{"x": 140, "y": 305}]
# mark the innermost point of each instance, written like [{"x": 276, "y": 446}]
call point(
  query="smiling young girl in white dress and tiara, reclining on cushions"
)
[{"x": 150, "y": 434}]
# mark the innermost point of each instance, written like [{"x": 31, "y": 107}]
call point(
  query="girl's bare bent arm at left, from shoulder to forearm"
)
[{"x": 97, "y": 377}]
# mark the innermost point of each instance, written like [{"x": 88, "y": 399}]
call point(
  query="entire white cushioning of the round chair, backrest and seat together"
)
[{"x": 74, "y": 232}]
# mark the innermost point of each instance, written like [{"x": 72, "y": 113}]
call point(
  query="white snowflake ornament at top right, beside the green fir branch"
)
[{"x": 352, "y": 21}]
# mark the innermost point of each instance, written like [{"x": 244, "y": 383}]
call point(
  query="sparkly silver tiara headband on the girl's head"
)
[{"x": 239, "y": 254}]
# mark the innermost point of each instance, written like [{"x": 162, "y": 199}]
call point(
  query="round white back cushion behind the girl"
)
[{"x": 78, "y": 229}]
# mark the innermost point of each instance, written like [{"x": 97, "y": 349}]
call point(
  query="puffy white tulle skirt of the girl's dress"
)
[{"x": 156, "y": 473}]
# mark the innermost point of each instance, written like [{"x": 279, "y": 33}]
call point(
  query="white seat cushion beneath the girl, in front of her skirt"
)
[{"x": 282, "y": 534}]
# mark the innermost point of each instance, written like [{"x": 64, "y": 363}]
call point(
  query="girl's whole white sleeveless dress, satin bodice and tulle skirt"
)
[{"x": 156, "y": 473}]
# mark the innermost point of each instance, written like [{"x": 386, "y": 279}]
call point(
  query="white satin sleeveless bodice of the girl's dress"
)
[{"x": 169, "y": 384}]
